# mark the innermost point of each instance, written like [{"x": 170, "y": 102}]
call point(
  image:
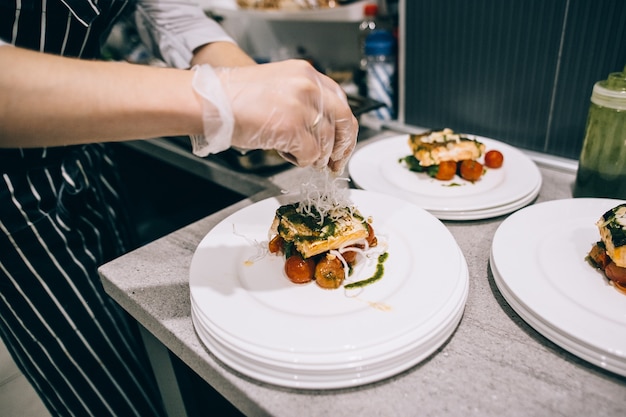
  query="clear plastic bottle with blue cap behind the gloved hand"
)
[{"x": 380, "y": 47}]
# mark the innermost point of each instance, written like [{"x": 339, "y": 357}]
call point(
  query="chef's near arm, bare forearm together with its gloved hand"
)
[{"x": 47, "y": 100}]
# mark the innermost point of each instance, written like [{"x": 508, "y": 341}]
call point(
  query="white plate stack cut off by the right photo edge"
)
[{"x": 538, "y": 261}]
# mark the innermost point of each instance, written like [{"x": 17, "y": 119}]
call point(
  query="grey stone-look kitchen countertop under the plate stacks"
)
[{"x": 493, "y": 365}]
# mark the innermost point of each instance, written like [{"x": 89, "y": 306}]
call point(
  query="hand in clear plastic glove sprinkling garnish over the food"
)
[{"x": 287, "y": 106}]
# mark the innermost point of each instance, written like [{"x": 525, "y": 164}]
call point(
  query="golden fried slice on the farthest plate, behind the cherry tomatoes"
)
[{"x": 432, "y": 148}]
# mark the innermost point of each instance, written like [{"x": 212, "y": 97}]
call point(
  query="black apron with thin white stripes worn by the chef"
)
[{"x": 61, "y": 217}]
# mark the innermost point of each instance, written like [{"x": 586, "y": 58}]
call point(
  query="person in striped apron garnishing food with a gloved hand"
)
[{"x": 61, "y": 209}]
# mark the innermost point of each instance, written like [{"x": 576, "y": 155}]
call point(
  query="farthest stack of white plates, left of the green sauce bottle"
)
[{"x": 376, "y": 167}]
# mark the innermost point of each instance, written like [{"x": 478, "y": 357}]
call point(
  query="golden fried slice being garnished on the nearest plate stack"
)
[{"x": 312, "y": 235}]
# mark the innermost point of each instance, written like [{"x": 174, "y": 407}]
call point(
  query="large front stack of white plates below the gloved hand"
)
[{"x": 254, "y": 320}]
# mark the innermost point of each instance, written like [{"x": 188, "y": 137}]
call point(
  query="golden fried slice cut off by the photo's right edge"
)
[{"x": 612, "y": 227}]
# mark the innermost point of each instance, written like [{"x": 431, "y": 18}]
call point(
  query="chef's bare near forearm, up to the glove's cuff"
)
[{"x": 47, "y": 100}]
